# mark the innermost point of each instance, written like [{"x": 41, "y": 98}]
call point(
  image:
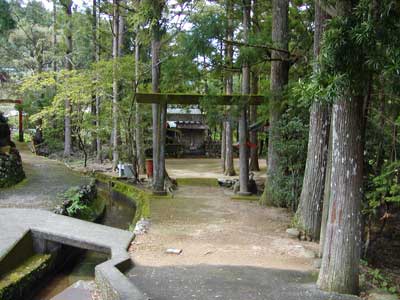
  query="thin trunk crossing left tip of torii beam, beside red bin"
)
[{"x": 138, "y": 117}]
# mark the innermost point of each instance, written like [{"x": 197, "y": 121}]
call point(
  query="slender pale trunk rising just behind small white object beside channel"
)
[{"x": 115, "y": 85}]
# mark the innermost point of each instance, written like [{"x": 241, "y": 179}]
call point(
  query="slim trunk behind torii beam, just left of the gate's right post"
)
[{"x": 229, "y": 165}]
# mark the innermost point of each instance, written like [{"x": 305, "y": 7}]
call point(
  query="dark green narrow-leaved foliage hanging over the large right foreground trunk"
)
[{"x": 353, "y": 48}]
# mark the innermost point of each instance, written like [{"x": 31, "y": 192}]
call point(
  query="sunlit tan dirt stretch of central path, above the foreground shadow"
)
[{"x": 212, "y": 229}]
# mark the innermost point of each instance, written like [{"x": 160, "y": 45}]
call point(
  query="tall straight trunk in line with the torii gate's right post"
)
[{"x": 243, "y": 148}]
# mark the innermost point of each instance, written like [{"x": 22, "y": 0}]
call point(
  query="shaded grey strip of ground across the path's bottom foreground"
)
[{"x": 207, "y": 282}]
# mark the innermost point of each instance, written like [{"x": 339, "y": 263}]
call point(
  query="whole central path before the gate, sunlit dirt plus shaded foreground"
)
[{"x": 231, "y": 251}]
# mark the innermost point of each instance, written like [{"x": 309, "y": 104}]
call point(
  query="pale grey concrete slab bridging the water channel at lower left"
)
[{"x": 47, "y": 226}]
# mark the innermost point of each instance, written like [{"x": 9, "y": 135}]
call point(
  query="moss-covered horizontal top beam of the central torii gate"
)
[{"x": 192, "y": 99}]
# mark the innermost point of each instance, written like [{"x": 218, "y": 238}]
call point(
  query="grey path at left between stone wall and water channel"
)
[{"x": 45, "y": 179}]
